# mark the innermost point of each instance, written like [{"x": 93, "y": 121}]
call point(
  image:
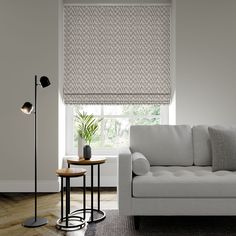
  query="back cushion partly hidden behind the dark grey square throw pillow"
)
[{"x": 201, "y": 146}]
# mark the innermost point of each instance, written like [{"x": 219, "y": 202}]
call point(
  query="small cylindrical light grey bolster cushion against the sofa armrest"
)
[{"x": 140, "y": 164}]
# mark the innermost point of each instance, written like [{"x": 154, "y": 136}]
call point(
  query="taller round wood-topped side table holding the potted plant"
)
[{"x": 100, "y": 215}]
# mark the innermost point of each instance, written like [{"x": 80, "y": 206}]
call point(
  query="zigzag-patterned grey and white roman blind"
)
[{"x": 117, "y": 54}]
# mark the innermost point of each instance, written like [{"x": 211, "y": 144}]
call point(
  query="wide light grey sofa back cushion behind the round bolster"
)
[{"x": 163, "y": 144}]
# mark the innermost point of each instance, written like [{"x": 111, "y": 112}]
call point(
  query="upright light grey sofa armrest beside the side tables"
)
[{"x": 124, "y": 181}]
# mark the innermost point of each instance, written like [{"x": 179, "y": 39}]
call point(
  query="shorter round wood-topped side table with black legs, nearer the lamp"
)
[{"x": 71, "y": 222}]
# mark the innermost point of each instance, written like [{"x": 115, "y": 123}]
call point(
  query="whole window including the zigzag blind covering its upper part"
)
[{"x": 116, "y": 54}]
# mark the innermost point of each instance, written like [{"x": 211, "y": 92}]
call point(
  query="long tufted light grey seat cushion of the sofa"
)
[{"x": 179, "y": 181}]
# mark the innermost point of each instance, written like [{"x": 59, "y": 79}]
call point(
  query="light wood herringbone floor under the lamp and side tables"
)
[{"x": 16, "y": 207}]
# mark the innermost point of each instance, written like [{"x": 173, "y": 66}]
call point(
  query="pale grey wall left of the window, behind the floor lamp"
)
[{"x": 28, "y": 47}]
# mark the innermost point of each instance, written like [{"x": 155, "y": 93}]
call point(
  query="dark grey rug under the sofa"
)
[{"x": 115, "y": 225}]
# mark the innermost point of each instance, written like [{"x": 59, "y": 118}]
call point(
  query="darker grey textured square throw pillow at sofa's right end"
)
[{"x": 223, "y": 142}]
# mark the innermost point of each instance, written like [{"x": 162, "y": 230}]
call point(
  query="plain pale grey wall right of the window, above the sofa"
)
[{"x": 205, "y": 61}]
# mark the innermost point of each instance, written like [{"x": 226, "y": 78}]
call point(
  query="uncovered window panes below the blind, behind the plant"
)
[{"x": 113, "y": 130}]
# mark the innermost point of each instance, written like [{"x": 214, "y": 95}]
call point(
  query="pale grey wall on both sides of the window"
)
[{"x": 205, "y": 80}]
